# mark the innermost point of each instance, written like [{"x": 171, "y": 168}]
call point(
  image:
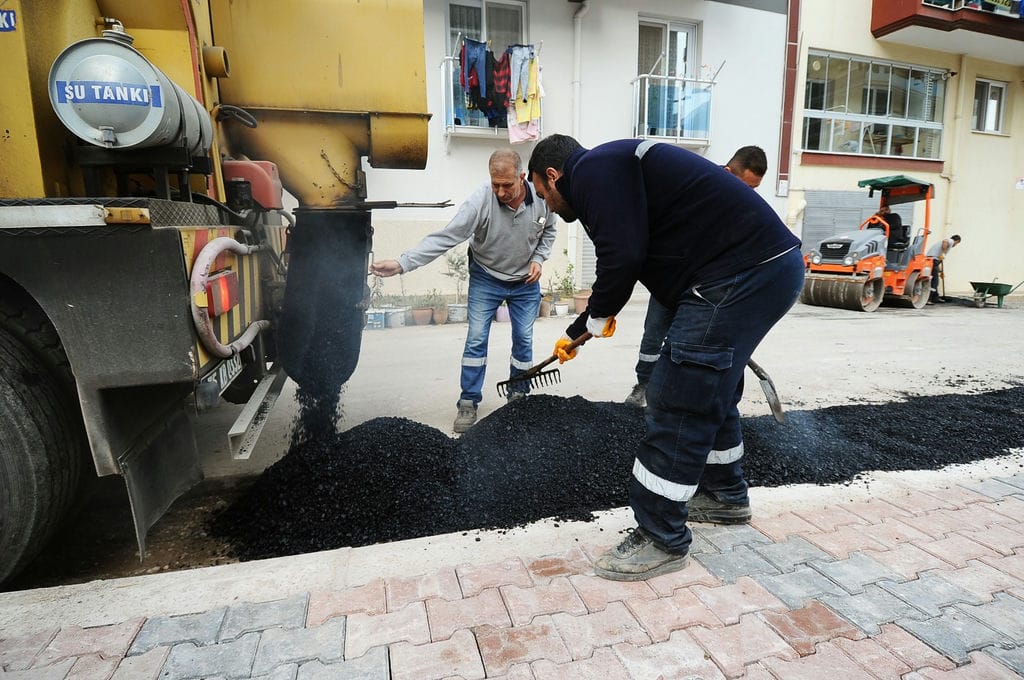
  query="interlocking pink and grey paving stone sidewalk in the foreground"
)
[{"x": 797, "y": 596}]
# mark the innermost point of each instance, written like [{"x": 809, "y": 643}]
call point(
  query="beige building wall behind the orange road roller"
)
[{"x": 975, "y": 192}]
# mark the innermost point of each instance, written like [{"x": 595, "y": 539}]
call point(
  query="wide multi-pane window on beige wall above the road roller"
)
[{"x": 871, "y": 108}]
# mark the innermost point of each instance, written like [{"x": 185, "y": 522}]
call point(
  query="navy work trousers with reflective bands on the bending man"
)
[{"x": 694, "y": 436}]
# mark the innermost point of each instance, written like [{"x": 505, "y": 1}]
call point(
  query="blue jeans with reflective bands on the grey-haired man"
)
[{"x": 486, "y": 295}]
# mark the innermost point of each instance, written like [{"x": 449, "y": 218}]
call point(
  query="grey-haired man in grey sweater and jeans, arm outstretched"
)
[{"x": 510, "y": 233}]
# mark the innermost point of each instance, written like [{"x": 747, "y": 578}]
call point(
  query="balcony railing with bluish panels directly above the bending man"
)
[{"x": 672, "y": 109}]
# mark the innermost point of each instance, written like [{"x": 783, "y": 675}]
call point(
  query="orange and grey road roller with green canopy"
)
[{"x": 883, "y": 261}]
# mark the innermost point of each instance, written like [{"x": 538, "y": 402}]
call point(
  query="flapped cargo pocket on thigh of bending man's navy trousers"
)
[{"x": 694, "y": 380}]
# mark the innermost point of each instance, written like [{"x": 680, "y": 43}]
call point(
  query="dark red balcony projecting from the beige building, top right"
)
[{"x": 987, "y": 30}]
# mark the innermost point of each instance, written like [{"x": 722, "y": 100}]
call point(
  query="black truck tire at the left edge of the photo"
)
[{"x": 37, "y": 479}]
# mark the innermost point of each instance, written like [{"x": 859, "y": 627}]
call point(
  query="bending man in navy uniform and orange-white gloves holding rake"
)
[{"x": 714, "y": 252}]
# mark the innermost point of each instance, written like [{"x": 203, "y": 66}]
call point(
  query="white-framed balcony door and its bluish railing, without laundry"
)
[{"x": 670, "y": 100}]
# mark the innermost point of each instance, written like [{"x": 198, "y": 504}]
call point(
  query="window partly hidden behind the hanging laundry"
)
[{"x": 499, "y": 23}]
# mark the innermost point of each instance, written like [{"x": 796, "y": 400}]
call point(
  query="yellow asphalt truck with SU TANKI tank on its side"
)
[{"x": 147, "y": 264}]
